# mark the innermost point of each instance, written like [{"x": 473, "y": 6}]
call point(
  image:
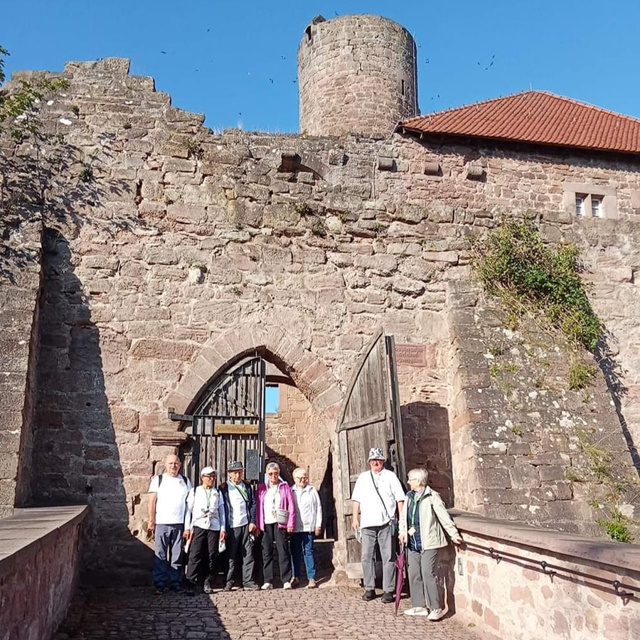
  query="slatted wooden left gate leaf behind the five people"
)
[{"x": 228, "y": 424}]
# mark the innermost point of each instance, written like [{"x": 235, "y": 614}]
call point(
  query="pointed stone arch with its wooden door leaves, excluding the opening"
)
[{"x": 221, "y": 405}]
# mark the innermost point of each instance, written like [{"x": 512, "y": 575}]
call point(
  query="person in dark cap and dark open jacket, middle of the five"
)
[{"x": 240, "y": 512}]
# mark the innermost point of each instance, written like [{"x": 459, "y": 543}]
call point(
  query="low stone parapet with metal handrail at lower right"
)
[{"x": 501, "y": 585}]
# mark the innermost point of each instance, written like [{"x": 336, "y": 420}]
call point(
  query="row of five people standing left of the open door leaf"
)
[{"x": 232, "y": 517}]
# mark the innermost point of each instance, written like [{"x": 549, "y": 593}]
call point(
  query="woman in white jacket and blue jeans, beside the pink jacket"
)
[{"x": 308, "y": 524}]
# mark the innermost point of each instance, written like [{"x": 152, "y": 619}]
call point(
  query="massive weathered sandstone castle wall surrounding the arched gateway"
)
[{"x": 184, "y": 249}]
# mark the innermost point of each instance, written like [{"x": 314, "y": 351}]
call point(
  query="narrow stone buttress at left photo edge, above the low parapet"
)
[{"x": 19, "y": 292}]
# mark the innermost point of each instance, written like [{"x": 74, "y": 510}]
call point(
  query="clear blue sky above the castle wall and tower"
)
[{"x": 220, "y": 57}]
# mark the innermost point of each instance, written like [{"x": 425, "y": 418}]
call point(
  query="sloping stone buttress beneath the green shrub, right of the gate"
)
[{"x": 526, "y": 446}]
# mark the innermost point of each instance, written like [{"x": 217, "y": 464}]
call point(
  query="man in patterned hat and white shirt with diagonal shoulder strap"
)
[{"x": 377, "y": 500}]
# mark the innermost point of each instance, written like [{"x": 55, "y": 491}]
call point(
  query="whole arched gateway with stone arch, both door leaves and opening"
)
[{"x": 330, "y": 433}]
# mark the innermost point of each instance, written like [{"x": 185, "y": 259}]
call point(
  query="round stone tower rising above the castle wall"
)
[{"x": 356, "y": 73}]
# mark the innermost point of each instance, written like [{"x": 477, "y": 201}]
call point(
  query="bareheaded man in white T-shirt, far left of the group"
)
[{"x": 167, "y": 505}]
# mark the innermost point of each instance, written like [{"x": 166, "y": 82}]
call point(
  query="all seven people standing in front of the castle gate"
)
[{"x": 232, "y": 515}]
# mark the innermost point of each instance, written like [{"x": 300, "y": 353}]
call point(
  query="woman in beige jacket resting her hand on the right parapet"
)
[{"x": 423, "y": 522}]
